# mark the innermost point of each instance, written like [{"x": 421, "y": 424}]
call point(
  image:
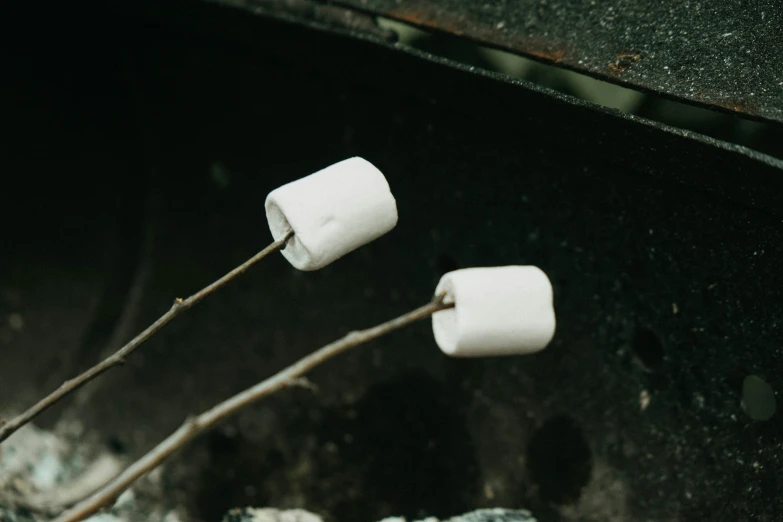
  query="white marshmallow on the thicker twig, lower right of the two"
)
[{"x": 503, "y": 310}]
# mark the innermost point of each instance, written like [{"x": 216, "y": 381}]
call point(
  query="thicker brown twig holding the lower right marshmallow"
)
[{"x": 194, "y": 426}]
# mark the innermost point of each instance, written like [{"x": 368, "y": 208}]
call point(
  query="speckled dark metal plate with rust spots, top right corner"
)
[{"x": 725, "y": 55}]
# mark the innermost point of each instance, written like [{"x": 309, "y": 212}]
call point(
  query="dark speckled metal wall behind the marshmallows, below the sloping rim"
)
[{"x": 664, "y": 249}]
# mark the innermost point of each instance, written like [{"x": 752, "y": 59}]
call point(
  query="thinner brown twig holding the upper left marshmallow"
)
[{"x": 118, "y": 358}]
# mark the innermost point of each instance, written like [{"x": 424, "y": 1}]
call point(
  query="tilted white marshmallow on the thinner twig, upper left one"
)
[{"x": 332, "y": 212}]
